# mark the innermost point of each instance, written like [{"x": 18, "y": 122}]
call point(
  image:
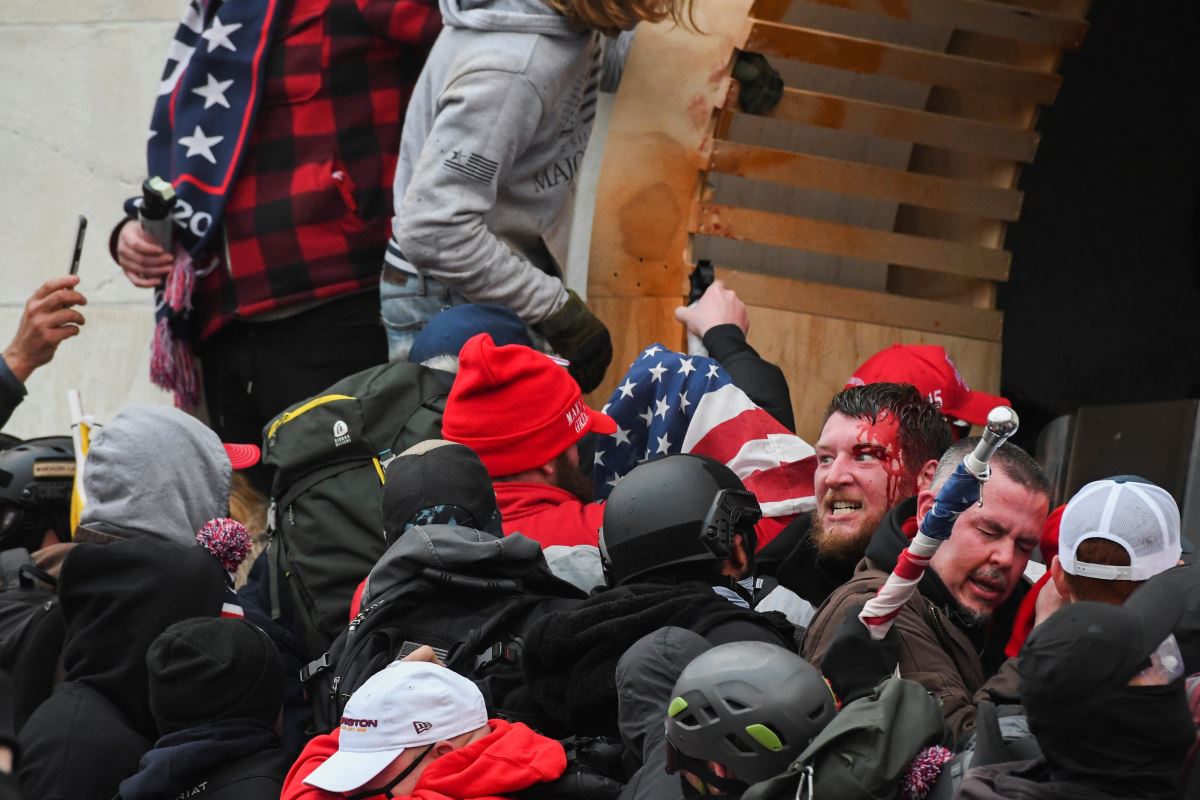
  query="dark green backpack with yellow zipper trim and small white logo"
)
[{"x": 329, "y": 454}]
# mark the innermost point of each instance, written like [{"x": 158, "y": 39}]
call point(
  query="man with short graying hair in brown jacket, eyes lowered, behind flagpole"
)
[{"x": 956, "y": 625}]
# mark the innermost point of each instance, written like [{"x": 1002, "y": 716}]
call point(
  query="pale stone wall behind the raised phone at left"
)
[{"x": 77, "y": 83}]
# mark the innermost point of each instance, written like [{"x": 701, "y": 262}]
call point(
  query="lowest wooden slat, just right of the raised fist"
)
[{"x": 874, "y": 308}]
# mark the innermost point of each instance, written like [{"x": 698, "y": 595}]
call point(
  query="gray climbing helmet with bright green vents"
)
[{"x": 749, "y": 706}]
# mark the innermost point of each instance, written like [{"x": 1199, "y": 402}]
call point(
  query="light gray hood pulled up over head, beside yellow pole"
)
[{"x": 155, "y": 471}]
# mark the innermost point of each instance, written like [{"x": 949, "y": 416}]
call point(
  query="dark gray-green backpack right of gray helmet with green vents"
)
[{"x": 863, "y": 754}]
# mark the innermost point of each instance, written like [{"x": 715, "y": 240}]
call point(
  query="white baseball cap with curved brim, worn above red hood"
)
[{"x": 409, "y": 705}]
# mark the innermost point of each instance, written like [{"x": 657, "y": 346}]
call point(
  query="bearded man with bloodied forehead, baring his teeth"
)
[{"x": 879, "y": 447}]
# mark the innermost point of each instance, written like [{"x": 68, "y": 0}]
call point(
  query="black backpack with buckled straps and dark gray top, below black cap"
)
[{"x": 467, "y": 594}]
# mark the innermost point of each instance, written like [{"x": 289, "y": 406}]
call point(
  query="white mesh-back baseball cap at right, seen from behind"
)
[{"x": 1141, "y": 518}]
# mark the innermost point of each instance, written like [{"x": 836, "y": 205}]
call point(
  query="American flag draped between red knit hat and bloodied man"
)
[{"x": 671, "y": 404}]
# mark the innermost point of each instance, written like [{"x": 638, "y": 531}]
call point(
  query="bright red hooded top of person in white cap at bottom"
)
[{"x": 509, "y": 760}]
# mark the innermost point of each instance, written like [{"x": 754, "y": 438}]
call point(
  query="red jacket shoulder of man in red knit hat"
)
[{"x": 548, "y": 514}]
